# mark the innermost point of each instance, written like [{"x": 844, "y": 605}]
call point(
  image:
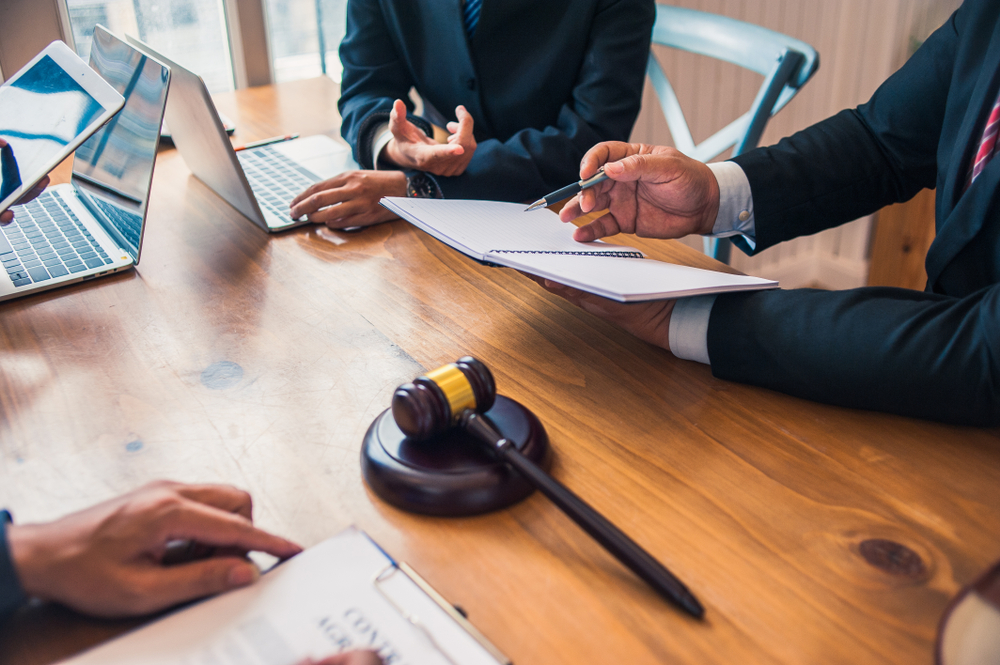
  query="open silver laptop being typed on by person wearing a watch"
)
[{"x": 259, "y": 182}]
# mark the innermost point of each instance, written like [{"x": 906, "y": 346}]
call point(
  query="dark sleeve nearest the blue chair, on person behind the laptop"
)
[{"x": 605, "y": 102}]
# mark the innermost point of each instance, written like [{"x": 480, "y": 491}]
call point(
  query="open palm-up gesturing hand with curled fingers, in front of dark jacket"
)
[{"x": 410, "y": 148}]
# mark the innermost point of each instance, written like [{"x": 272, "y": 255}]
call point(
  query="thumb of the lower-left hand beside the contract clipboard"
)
[{"x": 166, "y": 586}]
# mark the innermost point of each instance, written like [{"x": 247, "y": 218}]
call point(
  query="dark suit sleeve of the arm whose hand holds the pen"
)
[{"x": 860, "y": 160}]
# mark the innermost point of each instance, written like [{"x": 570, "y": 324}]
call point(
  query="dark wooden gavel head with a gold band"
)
[{"x": 433, "y": 402}]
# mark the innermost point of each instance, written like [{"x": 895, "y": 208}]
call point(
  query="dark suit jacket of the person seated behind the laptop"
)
[{"x": 544, "y": 81}]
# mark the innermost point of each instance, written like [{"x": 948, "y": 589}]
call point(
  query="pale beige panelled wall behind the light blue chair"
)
[{"x": 860, "y": 42}]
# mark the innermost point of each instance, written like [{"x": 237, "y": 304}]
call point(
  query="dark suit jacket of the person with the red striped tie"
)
[{"x": 932, "y": 354}]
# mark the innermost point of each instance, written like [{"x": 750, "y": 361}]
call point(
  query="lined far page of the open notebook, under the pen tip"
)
[{"x": 480, "y": 227}]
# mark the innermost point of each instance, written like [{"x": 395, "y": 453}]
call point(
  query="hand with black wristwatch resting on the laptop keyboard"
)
[{"x": 350, "y": 199}]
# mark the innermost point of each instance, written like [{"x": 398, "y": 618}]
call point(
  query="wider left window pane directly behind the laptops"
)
[{"x": 192, "y": 32}]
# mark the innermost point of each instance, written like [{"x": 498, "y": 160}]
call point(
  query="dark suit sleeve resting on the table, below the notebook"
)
[{"x": 908, "y": 352}]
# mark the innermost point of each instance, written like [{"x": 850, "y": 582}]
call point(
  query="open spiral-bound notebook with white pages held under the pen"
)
[{"x": 538, "y": 243}]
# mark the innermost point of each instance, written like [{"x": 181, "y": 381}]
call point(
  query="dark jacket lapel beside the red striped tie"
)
[{"x": 958, "y": 211}]
